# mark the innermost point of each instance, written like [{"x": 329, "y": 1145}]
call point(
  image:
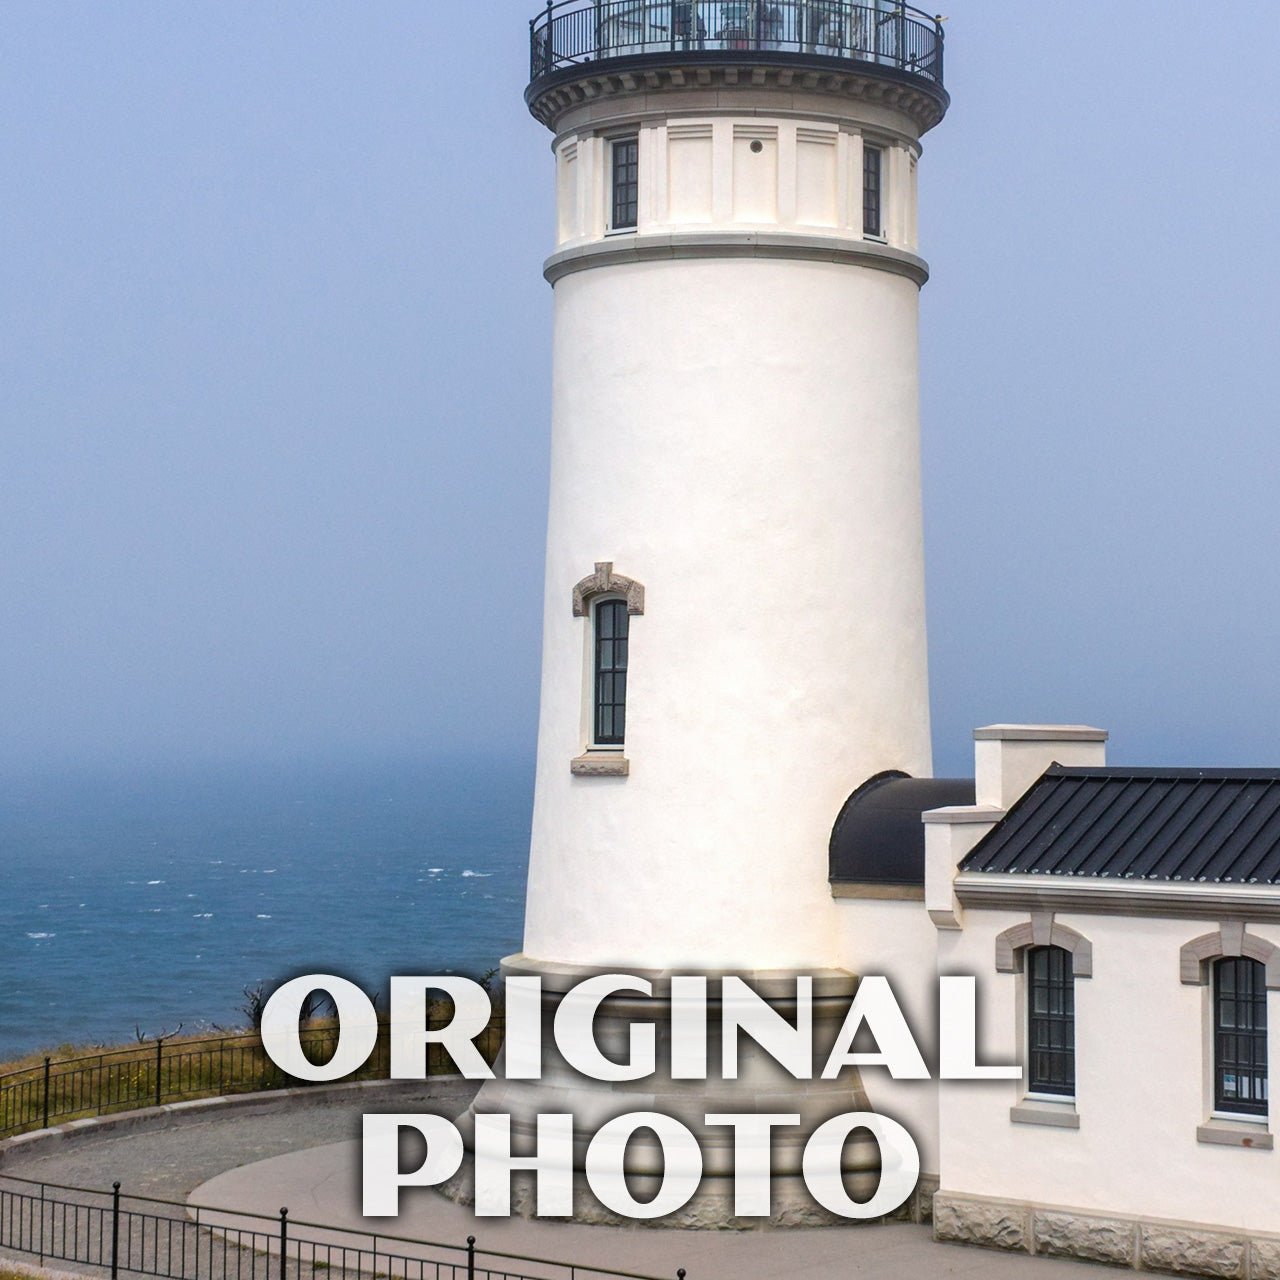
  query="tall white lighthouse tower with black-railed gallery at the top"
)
[{"x": 734, "y": 630}]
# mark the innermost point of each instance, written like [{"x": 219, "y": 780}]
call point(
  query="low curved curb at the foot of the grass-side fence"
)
[{"x": 173, "y": 1116}]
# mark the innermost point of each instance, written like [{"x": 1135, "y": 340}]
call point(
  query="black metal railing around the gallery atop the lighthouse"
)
[{"x": 574, "y": 33}]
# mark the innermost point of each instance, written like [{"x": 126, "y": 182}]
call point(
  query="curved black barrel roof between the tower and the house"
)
[{"x": 879, "y": 838}]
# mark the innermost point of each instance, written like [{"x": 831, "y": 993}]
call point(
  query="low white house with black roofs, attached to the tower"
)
[{"x": 1126, "y": 929}]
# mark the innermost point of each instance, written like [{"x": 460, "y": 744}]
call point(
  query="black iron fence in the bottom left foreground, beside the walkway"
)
[{"x": 121, "y": 1235}]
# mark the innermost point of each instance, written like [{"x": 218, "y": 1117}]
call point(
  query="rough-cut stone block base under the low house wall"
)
[{"x": 1141, "y": 1244}]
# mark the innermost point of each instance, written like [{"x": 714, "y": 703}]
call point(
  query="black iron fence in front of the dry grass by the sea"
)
[{"x": 179, "y": 1071}]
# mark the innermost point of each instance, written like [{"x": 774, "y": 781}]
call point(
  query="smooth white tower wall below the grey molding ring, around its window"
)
[{"x": 740, "y": 436}]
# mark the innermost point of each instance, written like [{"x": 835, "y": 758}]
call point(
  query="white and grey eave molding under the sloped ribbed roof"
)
[{"x": 1081, "y": 895}]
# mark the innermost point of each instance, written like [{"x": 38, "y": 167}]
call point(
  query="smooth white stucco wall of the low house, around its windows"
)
[{"x": 1144, "y": 1086}]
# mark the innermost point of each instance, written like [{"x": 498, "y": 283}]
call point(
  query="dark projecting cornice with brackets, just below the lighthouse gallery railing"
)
[{"x": 664, "y": 84}]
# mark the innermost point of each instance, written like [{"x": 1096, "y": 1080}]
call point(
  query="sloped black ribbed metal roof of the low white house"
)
[{"x": 1217, "y": 826}]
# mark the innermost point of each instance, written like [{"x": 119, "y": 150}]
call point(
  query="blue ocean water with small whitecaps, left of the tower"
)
[{"x": 149, "y": 900}]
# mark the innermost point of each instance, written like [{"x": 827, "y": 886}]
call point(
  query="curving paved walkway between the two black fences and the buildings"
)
[{"x": 309, "y": 1160}]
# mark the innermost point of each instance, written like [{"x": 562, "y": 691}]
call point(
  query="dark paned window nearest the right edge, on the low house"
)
[{"x": 1240, "y": 1036}]
